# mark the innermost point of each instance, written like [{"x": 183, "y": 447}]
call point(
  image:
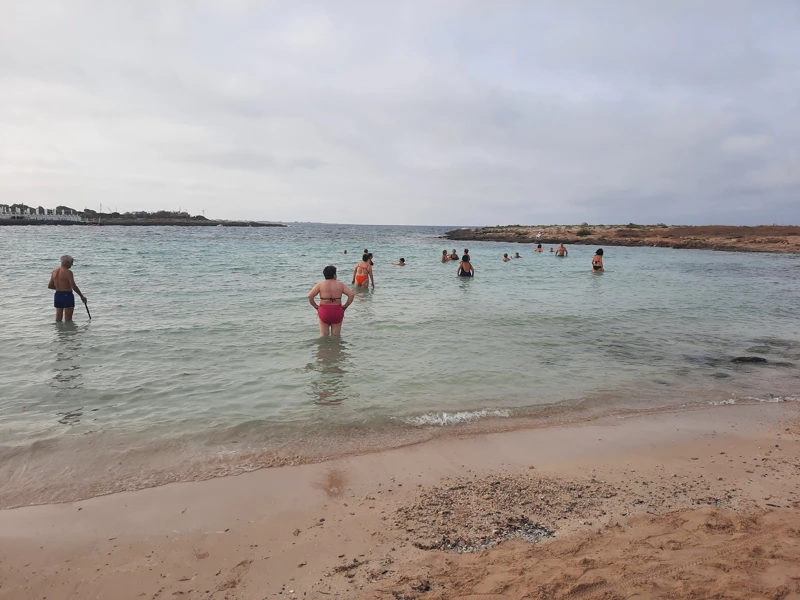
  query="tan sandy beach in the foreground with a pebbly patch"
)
[{"x": 694, "y": 504}]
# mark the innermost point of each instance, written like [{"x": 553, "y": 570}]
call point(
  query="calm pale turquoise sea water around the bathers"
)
[{"x": 204, "y": 355}]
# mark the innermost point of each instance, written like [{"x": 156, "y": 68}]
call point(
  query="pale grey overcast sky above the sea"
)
[{"x": 418, "y": 113}]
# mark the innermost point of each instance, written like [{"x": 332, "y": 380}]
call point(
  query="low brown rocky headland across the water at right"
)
[{"x": 761, "y": 238}]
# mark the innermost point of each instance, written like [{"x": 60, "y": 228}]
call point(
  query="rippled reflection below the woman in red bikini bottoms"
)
[{"x": 333, "y": 365}]
